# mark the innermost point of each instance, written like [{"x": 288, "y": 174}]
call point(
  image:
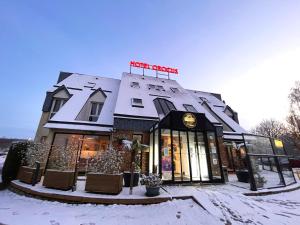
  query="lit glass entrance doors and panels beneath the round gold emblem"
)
[{"x": 183, "y": 156}]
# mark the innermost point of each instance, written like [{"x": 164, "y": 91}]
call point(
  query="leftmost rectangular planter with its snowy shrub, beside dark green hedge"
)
[{"x": 35, "y": 153}]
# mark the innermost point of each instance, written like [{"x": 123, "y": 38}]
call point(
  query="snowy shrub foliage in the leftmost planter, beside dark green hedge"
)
[{"x": 35, "y": 152}]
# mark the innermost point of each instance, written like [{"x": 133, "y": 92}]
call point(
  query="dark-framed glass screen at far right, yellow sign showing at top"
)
[{"x": 267, "y": 163}]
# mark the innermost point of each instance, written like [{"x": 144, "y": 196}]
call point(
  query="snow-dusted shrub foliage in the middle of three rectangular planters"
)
[{"x": 64, "y": 157}]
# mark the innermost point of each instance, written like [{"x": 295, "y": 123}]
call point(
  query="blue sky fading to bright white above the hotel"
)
[{"x": 246, "y": 50}]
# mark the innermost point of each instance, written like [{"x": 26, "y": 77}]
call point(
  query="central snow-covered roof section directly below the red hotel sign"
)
[{"x": 126, "y": 93}]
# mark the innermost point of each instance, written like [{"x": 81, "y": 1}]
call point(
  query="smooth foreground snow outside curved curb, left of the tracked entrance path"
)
[{"x": 20, "y": 210}]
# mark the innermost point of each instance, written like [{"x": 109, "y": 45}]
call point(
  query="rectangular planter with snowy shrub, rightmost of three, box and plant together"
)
[{"x": 104, "y": 174}]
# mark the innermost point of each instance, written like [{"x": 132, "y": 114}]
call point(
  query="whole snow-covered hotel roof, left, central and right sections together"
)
[{"x": 118, "y": 101}]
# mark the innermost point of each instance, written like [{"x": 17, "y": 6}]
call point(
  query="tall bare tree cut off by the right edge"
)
[{"x": 293, "y": 119}]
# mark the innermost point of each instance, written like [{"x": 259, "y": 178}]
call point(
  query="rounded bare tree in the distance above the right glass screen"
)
[{"x": 271, "y": 128}]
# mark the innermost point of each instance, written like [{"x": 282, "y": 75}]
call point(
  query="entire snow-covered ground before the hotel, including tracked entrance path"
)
[{"x": 224, "y": 204}]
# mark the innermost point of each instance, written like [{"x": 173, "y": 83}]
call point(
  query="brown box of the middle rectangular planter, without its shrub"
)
[{"x": 57, "y": 179}]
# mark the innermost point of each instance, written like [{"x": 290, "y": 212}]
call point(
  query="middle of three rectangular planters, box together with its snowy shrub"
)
[{"x": 60, "y": 173}]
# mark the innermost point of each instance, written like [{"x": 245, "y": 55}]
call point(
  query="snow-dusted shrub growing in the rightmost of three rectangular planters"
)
[{"x": 107, "y": 162}]
